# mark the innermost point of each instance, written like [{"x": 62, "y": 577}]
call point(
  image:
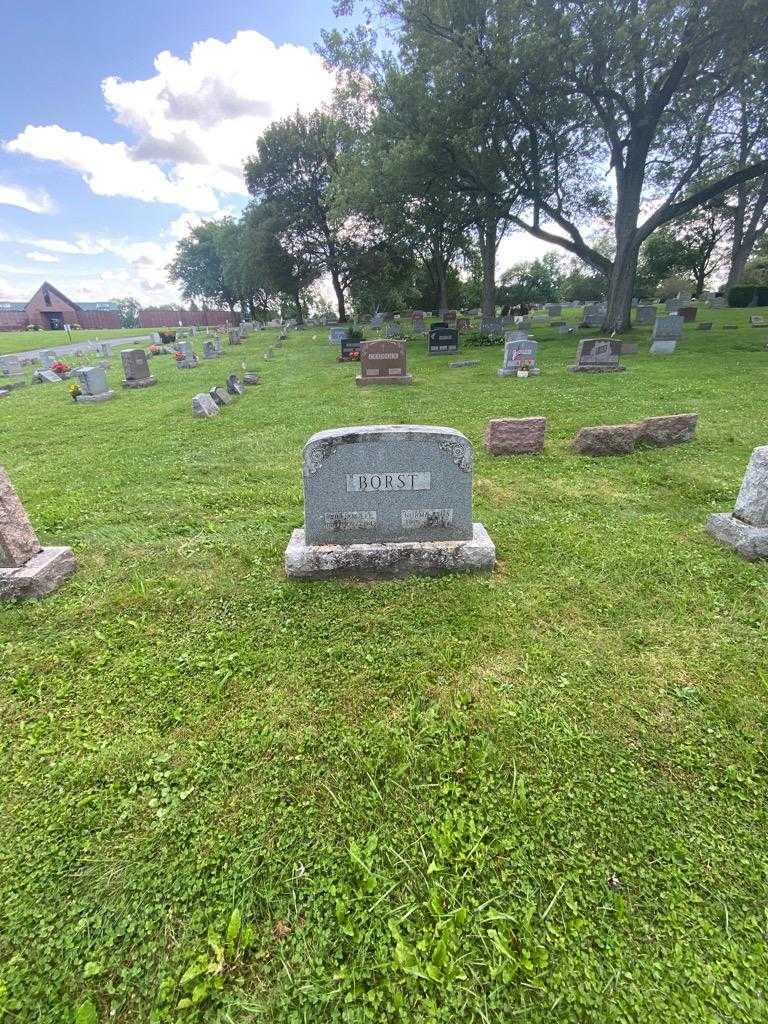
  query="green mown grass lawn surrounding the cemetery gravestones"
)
[{"x": 535, "y": 796}]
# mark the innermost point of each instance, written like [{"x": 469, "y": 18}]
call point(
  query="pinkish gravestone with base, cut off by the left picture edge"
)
[{"x": 27, "y": 570}]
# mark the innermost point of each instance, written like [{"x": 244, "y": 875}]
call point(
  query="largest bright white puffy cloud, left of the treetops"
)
[{"x": 196, "y": 121}]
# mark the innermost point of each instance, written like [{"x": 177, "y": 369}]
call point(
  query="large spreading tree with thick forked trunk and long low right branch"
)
[{"x": 642, "y": 86}]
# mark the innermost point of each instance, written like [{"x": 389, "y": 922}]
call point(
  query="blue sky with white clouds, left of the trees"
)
[{"x": 109, "y": 151}]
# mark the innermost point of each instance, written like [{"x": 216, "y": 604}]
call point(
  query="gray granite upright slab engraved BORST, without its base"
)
[{"x": 390, "y": 484}]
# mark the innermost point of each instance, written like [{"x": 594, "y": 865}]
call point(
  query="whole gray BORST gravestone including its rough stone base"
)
[{"x": 388, "y": 501}]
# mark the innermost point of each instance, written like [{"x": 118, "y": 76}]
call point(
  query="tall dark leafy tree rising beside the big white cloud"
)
[{"x": 295, "y": 170}]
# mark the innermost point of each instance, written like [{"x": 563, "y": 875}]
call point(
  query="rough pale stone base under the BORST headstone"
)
[{"x": 387, "y": 562}]
